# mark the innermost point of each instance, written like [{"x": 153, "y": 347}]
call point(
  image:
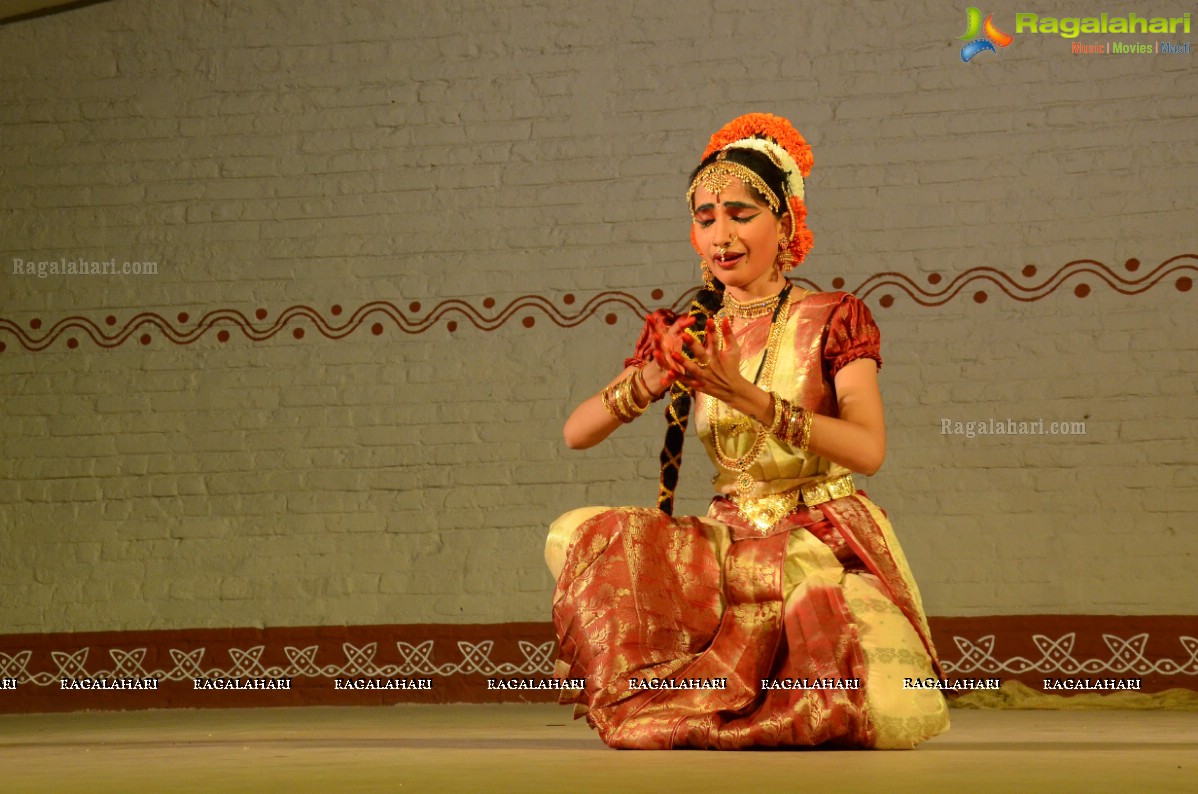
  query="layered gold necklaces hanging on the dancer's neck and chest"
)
[{"x": 739, "y": 423}]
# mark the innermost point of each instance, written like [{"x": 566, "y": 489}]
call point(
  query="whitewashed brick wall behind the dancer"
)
[{"x": 269, "y": 155}]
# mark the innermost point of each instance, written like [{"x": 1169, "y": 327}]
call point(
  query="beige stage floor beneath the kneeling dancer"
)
[{"x": 539, "y": 749}]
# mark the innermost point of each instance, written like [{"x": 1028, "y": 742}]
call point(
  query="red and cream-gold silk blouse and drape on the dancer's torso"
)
[{"x": 825, "y": 332}]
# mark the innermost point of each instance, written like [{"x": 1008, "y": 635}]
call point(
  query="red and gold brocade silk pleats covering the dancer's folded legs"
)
[{"x": 741, "y": 617}]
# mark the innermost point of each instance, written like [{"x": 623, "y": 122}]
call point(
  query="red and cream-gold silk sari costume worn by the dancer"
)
[{"x": 770, "y": 632}]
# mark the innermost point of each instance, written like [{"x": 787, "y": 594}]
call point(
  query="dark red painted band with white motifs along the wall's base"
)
[{"x": 506, "y": 663}]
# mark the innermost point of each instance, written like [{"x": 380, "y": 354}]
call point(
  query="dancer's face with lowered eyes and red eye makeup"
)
[{"x": 740, "y": 238}]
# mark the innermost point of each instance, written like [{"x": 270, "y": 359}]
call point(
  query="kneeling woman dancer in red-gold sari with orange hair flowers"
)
[{"x": 788, "y": 616}]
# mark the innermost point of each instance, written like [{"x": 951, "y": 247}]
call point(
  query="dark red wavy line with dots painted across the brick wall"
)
[{"x": 414, "y": 319}]
